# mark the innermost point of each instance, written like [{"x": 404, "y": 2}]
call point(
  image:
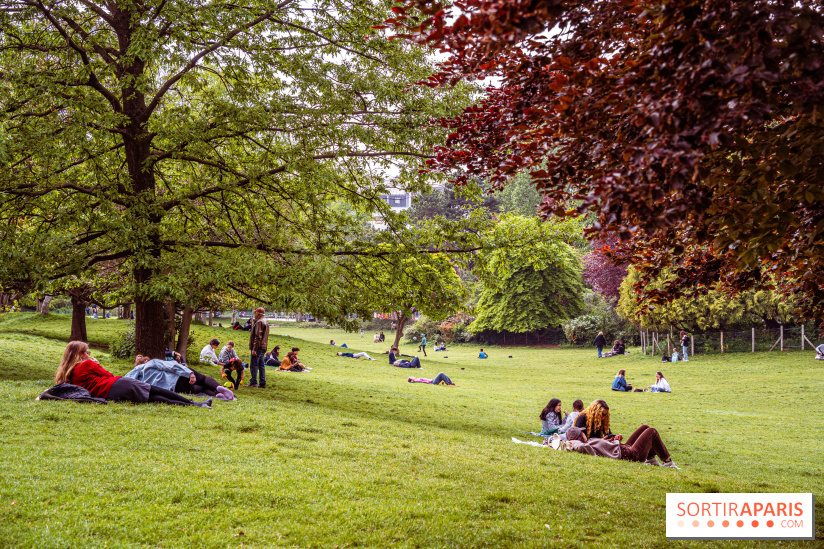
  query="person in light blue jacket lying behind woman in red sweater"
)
[{"x": 173, "y": 376}]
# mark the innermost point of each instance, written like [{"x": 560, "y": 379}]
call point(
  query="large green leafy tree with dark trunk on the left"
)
[{"x": 163, "y": 133}]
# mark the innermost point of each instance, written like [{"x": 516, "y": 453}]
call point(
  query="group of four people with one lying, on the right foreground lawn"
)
[{"x": 588, "y": 431}]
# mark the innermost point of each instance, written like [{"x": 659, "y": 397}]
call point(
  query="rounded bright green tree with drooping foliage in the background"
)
[{"x": 528, "y": 287}]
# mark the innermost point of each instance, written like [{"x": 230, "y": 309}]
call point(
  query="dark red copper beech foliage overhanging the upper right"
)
[{"x": 692, "y": 129}]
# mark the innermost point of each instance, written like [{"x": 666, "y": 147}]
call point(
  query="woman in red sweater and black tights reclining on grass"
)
[{"x": 78, "y": 368}]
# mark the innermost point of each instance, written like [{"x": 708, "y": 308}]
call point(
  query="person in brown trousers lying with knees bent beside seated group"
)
[{"x": 641, "y": 446}]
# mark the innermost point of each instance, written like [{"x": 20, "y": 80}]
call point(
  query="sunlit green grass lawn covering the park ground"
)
[{"x": 351, "y": 454}]
